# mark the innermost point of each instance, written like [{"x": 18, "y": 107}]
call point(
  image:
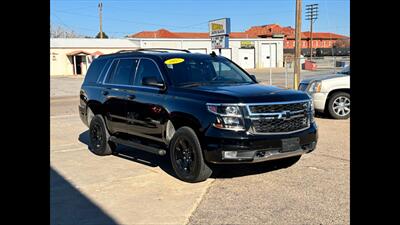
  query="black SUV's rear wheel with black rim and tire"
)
[{"x": 98, "y": 137}]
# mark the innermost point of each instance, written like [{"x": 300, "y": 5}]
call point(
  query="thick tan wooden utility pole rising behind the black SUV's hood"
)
[{"x": 297, "y": 45}]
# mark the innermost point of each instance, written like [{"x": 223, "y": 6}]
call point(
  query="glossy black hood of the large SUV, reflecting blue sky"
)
[{"x": 251, "y": 93}]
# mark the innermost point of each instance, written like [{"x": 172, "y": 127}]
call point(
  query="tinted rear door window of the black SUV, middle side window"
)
[{"x": 124, "y": 72}]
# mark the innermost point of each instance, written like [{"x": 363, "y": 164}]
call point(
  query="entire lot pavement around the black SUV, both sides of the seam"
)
[{"x": 139, "y": 188}]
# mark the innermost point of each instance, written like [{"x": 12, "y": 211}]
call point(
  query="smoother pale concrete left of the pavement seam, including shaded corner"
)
[{"x": 129, "y": 188}]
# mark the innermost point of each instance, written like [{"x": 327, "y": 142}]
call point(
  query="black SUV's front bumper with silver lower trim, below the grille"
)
[{"x": 254, "y": 148}]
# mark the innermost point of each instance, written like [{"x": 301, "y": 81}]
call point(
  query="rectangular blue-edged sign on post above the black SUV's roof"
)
[{"x": 219, "y": 31}]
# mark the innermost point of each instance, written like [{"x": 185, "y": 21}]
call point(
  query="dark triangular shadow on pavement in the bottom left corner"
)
[{"x": 69, "y": 206}]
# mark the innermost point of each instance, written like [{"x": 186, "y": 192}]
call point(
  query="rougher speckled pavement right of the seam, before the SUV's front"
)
[{"x": 313, "y": 191}]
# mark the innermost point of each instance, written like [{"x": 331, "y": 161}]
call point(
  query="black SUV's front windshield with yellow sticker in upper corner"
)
[{"x": 196, "y": 71}]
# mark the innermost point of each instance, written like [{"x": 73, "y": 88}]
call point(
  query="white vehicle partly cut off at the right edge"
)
[{"x": 330, "y": 93}]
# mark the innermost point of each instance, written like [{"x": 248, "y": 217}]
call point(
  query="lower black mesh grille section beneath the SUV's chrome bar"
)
[{"x": 280, "y": 125}]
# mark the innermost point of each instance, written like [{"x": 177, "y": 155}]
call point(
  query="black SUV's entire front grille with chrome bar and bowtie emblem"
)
[{"x": 279, "y": 118}]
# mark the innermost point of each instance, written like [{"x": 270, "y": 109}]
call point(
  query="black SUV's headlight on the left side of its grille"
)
[{"x": 229, "y": 116}]
